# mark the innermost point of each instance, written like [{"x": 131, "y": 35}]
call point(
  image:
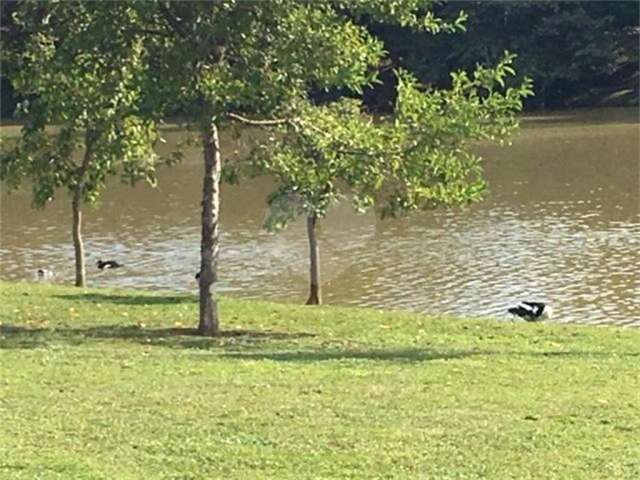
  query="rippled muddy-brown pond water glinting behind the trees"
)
[{"x": 561, "y": 224}]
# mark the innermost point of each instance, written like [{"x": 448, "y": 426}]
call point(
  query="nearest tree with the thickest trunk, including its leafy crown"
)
[{"x": 212, "y": 59}]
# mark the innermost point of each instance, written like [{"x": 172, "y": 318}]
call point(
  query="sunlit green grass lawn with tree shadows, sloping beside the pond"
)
[{"x": 112, "y": 384}]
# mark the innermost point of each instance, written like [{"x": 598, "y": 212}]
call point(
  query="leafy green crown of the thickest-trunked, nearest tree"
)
[{"x": 211, "y": 58}]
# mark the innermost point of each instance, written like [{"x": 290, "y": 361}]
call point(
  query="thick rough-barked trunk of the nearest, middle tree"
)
[{"x": 210, "y": 239}]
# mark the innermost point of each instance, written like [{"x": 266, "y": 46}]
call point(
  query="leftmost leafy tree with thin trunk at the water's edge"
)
[{"x": 88, "y": 95}]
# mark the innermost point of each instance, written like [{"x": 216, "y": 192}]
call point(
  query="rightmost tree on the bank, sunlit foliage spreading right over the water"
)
[{"x": 419, "y": 159}]
